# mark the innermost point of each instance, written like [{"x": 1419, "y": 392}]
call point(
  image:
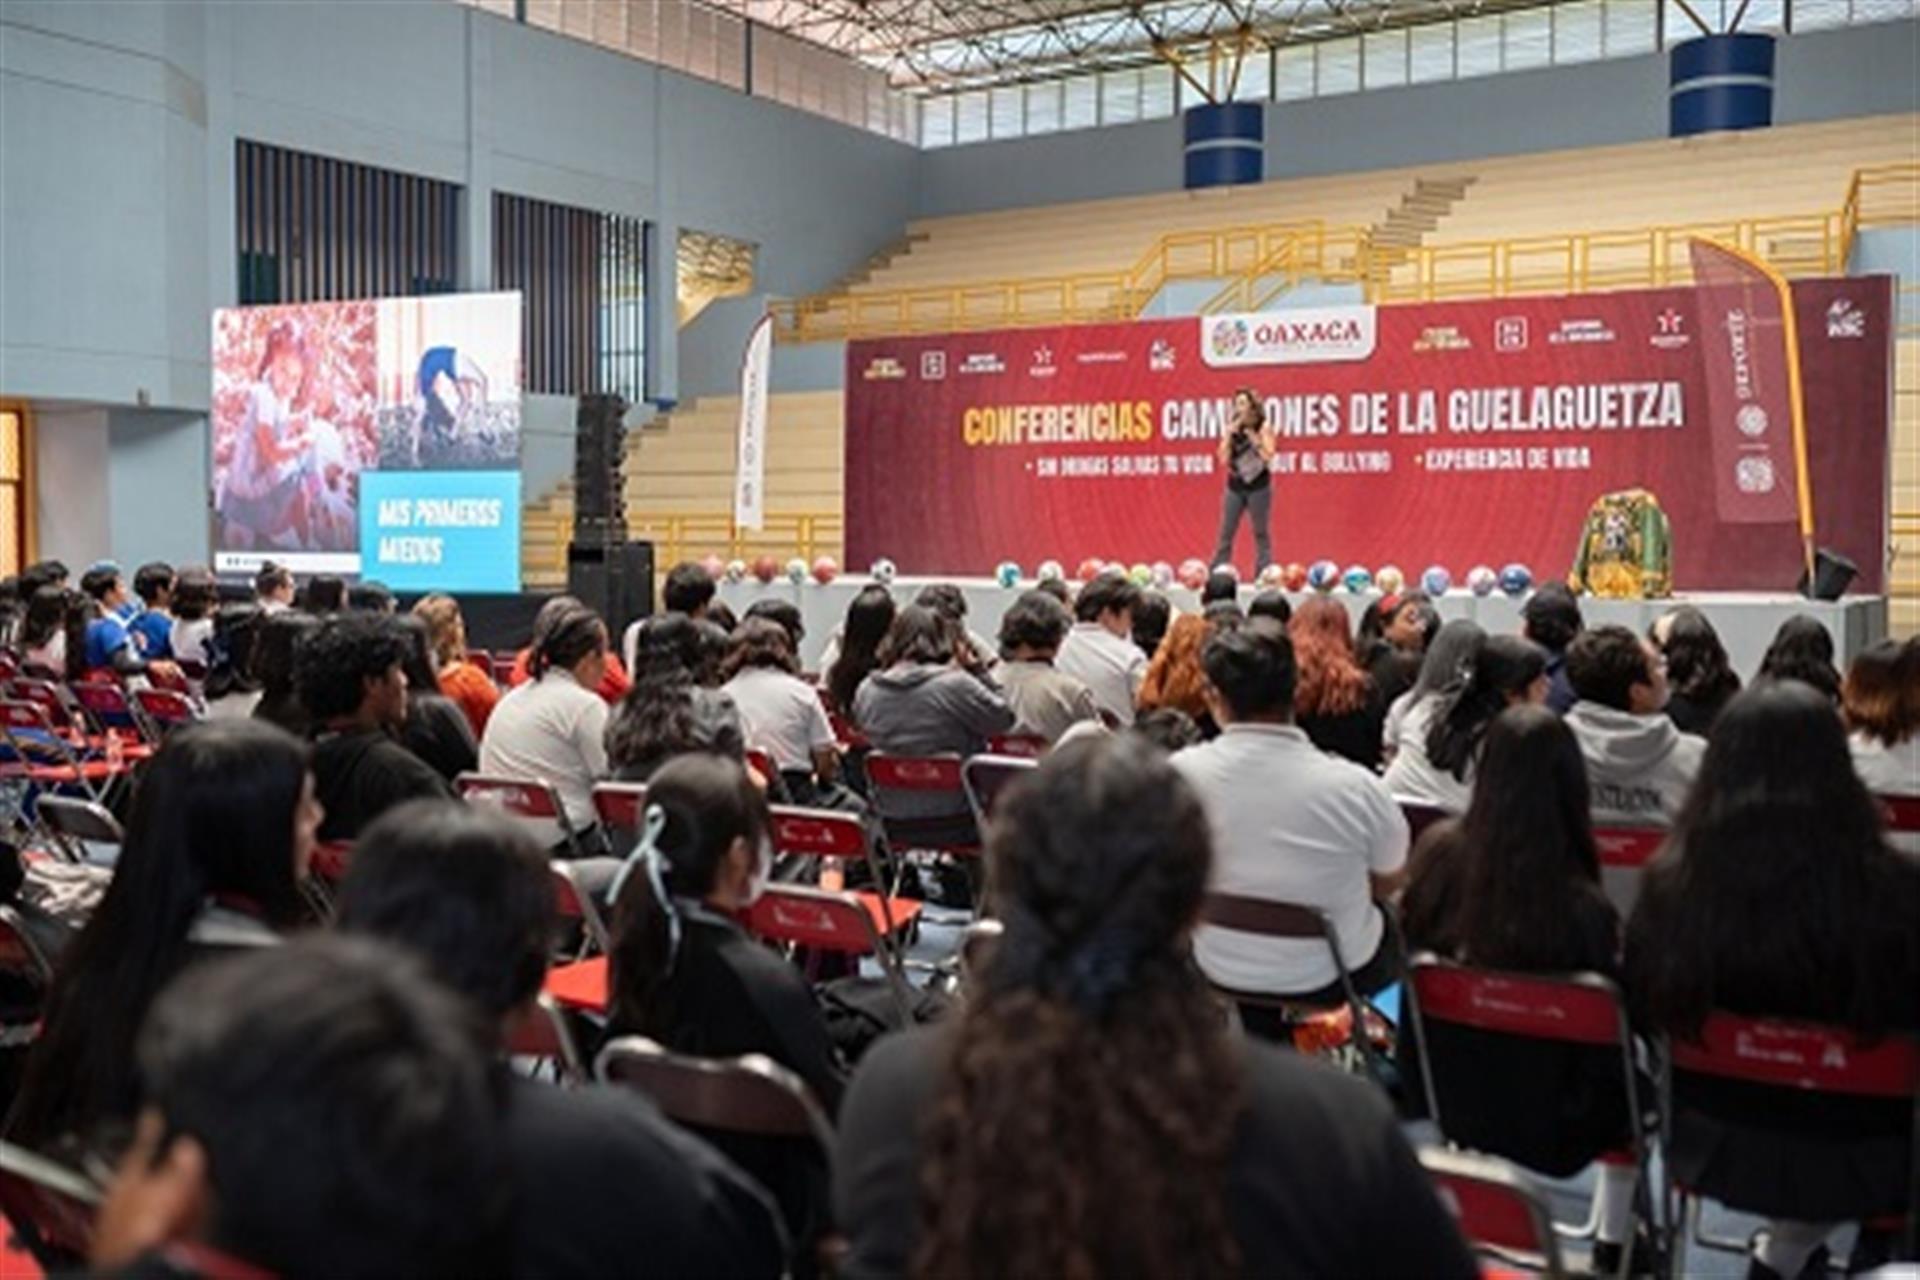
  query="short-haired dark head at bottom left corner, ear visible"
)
[{"x": 312, "y": 1114}]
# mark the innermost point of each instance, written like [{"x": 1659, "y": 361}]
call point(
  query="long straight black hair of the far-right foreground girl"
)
[{"x": 1777, "y": 880}]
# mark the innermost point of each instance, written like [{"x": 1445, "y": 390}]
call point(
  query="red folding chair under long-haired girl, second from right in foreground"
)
[{"x": 1572, "y": 1008}]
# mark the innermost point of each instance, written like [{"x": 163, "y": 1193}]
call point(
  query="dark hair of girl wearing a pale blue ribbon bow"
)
[{"x": 709, "y": 803}]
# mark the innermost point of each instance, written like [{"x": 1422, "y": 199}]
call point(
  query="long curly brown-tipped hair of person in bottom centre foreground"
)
[{"x": 1084, "y": 1122}]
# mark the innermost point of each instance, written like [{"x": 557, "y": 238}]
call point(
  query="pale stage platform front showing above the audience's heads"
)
[{"x": 1746, "y": 621}]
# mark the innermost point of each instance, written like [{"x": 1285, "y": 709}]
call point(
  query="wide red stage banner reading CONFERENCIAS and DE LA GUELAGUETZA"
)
[{"x": 1454, "y": 435}]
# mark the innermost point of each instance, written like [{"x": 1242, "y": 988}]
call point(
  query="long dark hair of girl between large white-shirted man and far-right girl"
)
[{"x": 1531, "y": 872}]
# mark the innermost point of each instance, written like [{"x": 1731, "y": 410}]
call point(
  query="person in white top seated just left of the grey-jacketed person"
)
[{"x": 779, "y": 711}]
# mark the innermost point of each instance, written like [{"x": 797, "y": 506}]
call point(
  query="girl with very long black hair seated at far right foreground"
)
[{"x": 1779, "y": 897}]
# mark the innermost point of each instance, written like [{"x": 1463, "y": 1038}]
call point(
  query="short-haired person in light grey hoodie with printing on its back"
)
[{"x": 1637, "y": 761}]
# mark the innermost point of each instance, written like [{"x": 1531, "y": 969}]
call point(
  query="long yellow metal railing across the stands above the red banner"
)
[{"x": 1262, "y": 262}]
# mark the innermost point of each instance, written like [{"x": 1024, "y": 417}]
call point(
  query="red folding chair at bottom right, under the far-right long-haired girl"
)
[{"x": 1792, "y": 1058}]
